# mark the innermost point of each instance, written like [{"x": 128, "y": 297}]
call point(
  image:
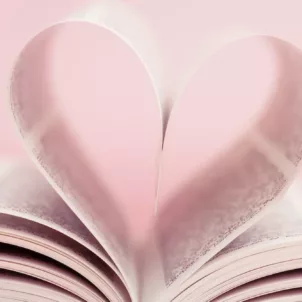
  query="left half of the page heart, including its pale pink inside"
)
[{"x": 95, "y": 166}]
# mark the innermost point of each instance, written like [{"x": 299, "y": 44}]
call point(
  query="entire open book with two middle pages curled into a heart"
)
[{"x": 226, "y": 227}]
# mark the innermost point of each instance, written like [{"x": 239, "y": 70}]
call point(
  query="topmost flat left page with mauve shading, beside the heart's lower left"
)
[{"x": 25, "y": 193}]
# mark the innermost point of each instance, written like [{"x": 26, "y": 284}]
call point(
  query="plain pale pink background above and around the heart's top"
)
[{"x": 185, "y": 29}]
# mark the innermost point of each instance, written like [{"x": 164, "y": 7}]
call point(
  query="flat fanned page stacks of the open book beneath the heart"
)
[{"x": 47, "y": 254}]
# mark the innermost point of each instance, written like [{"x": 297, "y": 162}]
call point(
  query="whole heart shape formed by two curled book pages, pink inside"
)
[{"x": 91, "y": 120}]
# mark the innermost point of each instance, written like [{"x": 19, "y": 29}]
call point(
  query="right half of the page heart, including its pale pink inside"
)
[{"x": 233, "y": 143}]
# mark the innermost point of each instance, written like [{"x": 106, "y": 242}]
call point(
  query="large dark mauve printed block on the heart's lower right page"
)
[{"x": 214, "y": 208}]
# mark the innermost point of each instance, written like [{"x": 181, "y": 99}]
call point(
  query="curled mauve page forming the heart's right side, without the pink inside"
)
[{"x": 213, "y": 208}]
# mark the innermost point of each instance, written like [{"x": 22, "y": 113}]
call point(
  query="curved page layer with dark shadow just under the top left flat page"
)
[{"x": 53, "y": 244}]
